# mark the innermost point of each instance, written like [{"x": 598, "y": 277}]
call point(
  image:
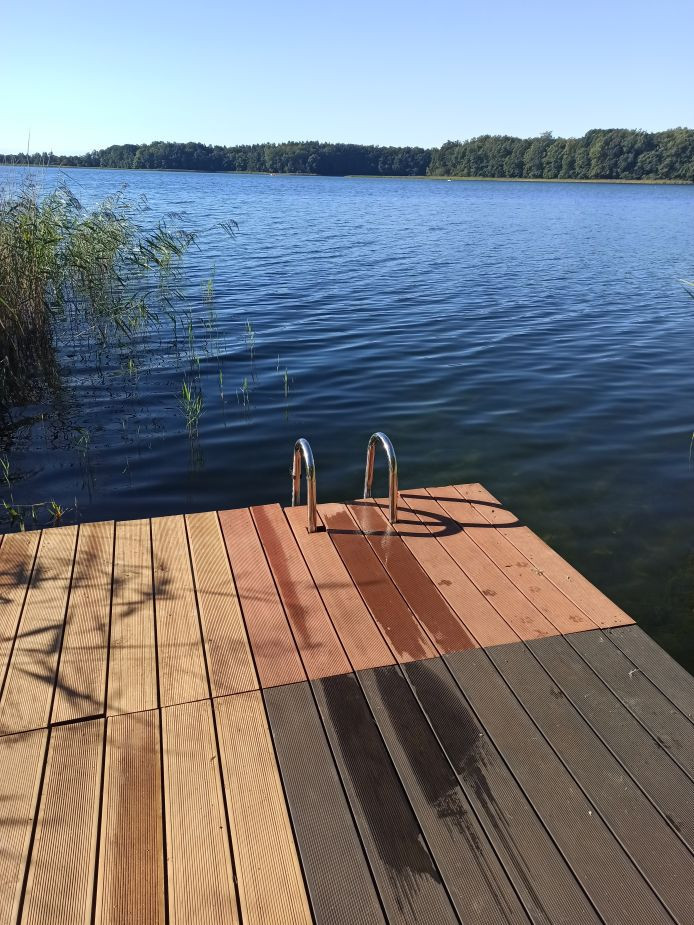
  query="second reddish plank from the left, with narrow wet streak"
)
[{"x": 320, "y": 647}]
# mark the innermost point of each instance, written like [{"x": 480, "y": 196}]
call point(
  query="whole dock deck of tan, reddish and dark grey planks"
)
[{"x": 221, "y": 718}]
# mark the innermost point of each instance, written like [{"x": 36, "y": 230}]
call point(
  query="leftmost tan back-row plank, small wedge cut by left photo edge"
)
[{"x": 16, "y": 563}]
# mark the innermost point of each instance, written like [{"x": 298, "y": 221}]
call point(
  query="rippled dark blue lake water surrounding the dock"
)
[{"x": 534, "y": 337}]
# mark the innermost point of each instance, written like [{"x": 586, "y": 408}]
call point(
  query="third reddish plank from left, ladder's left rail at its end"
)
[{"x": 363, "y": 641}]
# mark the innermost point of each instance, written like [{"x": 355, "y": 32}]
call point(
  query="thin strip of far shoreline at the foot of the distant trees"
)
[{"x": 357, "y": 176}]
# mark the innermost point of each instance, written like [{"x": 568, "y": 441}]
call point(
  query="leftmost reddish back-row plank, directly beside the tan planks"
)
[{"x": 277, "y": 659}]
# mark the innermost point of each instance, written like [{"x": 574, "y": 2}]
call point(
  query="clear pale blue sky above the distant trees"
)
[{"x": 79, "y": 75}]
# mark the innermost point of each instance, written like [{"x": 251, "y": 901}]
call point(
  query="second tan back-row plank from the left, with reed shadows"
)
[{"x": 28, "y": 692}]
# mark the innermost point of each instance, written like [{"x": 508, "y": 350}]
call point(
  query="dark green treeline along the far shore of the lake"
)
[{"x": 601, "y": 154}]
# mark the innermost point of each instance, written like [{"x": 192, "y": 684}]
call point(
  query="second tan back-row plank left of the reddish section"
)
[{"x": 182, "y": 674}]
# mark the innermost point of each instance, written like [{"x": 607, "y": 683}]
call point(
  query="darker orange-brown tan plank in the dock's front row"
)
[{"x": 131, "y": 865}]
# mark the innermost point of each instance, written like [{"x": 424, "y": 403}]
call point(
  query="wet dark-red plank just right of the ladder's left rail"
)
[{"x": 406, "y": 637}]
